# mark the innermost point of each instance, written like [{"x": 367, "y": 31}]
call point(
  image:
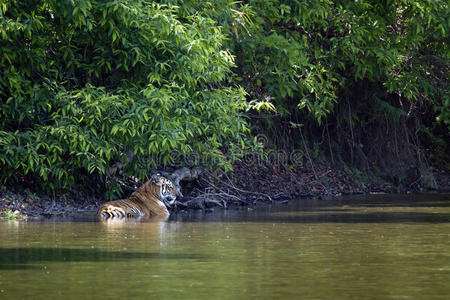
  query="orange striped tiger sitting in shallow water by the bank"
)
[{"x": 151, "y": 199}]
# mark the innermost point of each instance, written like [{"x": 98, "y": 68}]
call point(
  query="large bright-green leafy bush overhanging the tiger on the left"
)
[{"x": 86, "y": 83}]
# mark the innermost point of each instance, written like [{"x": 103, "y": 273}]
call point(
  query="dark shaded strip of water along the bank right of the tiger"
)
[{"x": 364, "y": 209}]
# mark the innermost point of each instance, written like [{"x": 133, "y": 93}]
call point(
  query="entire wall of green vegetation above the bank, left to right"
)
[{"x": 89, "y": 88}]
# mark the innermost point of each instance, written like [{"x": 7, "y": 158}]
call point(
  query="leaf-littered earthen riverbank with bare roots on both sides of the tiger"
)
[{"x": 244, "y": 186}]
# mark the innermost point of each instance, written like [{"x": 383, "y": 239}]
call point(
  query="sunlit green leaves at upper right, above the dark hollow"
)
[{"x": 310, "y": 53}]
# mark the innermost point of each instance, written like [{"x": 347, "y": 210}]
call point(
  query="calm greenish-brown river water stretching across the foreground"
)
[{"x": 365, "y": 247}]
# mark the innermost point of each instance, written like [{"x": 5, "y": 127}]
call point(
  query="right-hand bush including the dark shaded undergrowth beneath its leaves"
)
[{"x": 368, "y": 77}]
